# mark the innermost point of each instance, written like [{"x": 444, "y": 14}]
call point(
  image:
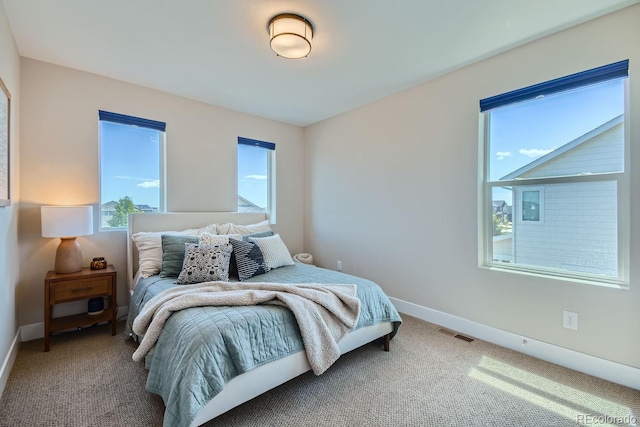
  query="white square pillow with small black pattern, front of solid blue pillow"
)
[{"x": 204, "y": 263}]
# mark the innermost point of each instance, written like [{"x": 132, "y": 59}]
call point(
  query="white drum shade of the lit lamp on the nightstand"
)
[{"x": 66, "y": 221}]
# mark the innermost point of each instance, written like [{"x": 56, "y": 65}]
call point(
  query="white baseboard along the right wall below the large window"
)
[{"x": 595, "y": 366}]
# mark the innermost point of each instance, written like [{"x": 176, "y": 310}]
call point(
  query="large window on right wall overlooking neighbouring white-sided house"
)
[{"x": 556, "y": 153}]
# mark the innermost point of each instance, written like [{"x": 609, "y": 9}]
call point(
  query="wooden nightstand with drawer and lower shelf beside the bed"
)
[{"x": 82, "y": 285}]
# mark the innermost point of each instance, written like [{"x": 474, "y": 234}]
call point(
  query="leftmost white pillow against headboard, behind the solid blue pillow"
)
[{"x": 149, "y": 246}]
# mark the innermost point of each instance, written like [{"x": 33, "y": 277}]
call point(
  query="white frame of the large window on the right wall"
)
[{"x": 485, "y": 197}]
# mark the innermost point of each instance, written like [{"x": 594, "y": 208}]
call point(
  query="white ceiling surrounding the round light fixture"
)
[{"x": 217, "y": 51}]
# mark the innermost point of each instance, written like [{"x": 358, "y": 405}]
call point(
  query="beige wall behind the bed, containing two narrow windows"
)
[{"x": 60, "y": 165}]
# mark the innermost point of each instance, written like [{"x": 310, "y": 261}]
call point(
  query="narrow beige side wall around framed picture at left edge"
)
[{"x": 10, "y": 74}]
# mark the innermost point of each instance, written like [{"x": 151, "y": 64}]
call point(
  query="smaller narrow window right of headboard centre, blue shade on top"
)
[{"x": 256, "y": 176}]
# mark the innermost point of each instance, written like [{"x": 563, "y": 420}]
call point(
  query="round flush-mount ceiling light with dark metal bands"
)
[{"x": 290, "y": 35}]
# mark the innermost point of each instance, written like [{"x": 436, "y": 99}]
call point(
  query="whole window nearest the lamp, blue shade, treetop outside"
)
[{"x": 131, "y": 168}]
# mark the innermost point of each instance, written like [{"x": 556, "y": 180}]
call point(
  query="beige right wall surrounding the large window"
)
[{"x": 392, "y": 189}]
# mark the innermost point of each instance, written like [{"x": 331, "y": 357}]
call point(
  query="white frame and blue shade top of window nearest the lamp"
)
[{"x": 127, "y": 120}]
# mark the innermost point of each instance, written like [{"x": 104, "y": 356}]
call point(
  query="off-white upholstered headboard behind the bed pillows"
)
[{"x": 177, "y": 221}]
